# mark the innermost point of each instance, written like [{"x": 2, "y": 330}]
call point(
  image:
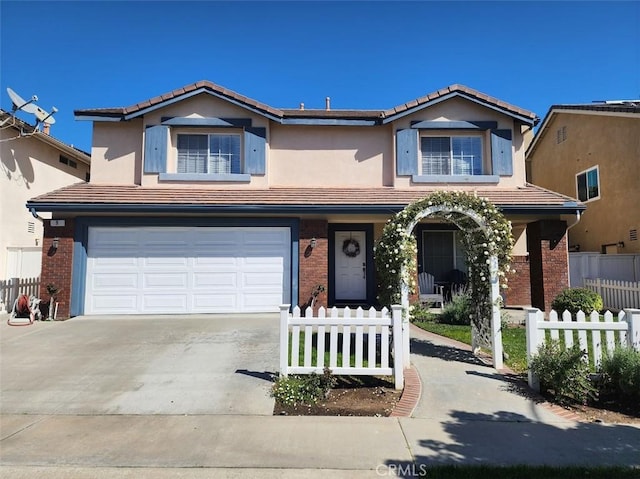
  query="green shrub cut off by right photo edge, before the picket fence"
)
[{"x": 621, "y": 374}]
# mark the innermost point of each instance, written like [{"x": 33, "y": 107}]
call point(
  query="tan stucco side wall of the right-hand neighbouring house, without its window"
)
[{"x": 611, "y": 143}]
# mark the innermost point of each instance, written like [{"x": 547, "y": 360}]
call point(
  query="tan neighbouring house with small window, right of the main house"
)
[{"x": 592, "y": 152}]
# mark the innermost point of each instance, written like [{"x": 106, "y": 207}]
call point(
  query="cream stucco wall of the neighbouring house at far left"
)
[{"x": 29, "y": 168}]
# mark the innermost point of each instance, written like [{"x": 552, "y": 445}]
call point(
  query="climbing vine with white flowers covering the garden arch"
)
[{"x": 397, "y": 248}]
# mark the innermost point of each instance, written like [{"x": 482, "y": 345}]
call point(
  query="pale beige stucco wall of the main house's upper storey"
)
[{"x": 314, "y": 156}]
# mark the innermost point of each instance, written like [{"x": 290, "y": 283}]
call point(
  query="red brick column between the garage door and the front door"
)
[{"x": 313, "y": 261}]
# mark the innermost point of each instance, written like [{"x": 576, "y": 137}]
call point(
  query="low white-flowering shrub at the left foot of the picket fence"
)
[{"x": 302, "y": 388}]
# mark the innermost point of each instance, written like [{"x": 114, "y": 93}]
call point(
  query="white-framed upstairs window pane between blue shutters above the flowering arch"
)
[{"x": 451, "y": 155}]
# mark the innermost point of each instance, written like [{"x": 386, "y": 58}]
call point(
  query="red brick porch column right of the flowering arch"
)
[{"x": 549, "y": 261}]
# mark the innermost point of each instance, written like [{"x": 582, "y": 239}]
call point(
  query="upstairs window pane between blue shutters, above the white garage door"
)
[{"x": 209, "y": 154}]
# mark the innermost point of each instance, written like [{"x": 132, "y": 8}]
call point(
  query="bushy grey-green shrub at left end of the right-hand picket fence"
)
[{"x": 563, "y": 373}]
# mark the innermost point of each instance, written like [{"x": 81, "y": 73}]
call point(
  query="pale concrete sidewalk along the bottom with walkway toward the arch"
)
[{"x": 467, "y": 414}]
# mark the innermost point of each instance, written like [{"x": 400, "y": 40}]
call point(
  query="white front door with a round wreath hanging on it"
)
[{"x": 350, "y": 266}]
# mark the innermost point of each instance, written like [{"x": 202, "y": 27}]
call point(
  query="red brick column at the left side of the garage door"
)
[{"x": 57, "y": 264}]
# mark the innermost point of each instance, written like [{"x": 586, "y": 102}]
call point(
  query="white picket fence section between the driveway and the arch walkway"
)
[{"x": 376, "y": 336}]
